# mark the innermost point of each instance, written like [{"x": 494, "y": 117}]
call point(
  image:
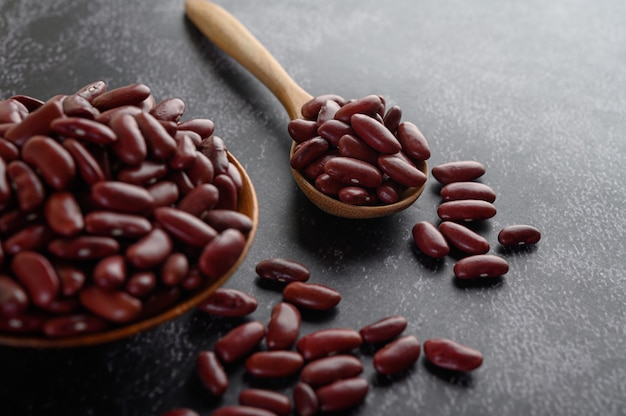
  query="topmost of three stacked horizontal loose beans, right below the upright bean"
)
[{"x": 328, "y": 341}]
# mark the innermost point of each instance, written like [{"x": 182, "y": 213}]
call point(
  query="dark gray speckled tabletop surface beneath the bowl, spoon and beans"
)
[{"x": 534, "y": 90}]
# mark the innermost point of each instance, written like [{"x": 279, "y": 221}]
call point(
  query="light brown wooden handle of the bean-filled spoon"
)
[{"x": 232, "y": 37}]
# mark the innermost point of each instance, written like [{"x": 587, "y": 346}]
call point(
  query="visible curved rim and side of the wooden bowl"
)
[{"x": 248, "y": 205}]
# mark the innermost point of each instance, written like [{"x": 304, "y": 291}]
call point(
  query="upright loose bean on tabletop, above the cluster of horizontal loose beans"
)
[{"x": 284, "y": 327}]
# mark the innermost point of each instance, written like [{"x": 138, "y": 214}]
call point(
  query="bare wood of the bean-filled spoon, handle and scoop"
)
[{"x": 226, "y": 32}]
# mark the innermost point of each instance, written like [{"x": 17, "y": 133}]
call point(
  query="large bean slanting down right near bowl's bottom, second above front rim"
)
[{"x": 114, "y": 306}]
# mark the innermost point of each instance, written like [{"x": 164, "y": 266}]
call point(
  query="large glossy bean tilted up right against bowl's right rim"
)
[{"x": 221, "y": 253}]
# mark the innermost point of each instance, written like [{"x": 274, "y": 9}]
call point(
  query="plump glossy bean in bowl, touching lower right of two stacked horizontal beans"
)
[{"x": 151, "y": 250}]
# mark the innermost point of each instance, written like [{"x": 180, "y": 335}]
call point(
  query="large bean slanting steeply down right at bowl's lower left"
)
[{"x": 37, "y": 275}]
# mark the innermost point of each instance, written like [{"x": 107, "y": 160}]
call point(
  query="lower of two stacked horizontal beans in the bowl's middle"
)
[{"x": 115, "y": 224}]
